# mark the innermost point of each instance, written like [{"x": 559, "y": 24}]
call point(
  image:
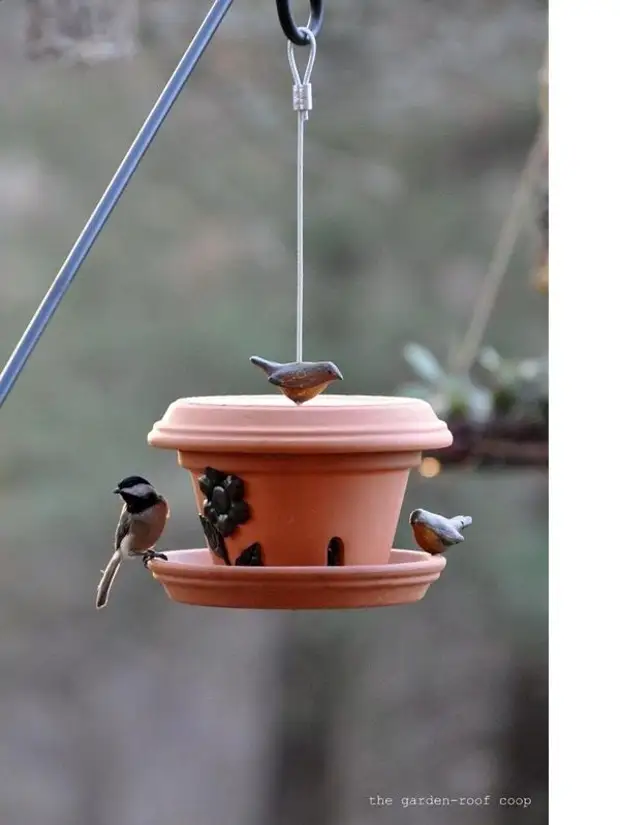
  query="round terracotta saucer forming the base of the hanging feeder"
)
[{"x": 191, "y": 577}]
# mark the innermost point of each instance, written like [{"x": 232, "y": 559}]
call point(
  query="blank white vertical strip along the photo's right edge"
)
[{"x": 585, "y": 409}]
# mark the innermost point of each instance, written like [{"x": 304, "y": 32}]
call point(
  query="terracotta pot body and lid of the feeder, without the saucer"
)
[{"x": 335, "y": 467}]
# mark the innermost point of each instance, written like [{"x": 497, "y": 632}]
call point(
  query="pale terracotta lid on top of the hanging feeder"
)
[{"x": 328, "y": 423}]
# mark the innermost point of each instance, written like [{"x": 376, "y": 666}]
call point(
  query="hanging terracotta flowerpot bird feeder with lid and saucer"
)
[{"x": 299, "y": 504}]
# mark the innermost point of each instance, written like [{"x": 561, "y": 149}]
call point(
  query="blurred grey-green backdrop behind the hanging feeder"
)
[{"x": 150, "y": 712}]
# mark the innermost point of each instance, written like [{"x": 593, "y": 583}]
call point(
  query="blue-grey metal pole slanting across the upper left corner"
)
[{"x": 110, "y": 198}]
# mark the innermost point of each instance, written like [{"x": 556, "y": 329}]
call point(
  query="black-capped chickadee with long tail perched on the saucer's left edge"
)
[{"x": 142, "y": 522}]
